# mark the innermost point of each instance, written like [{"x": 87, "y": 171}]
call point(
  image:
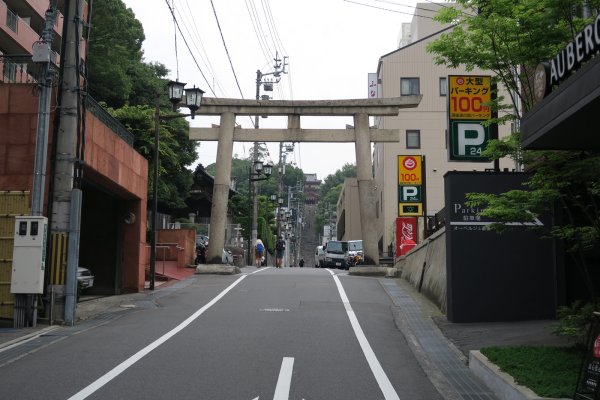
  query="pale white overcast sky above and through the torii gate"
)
[{"x": 332, "y": 45}]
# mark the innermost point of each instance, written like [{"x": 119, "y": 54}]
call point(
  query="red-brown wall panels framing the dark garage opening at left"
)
[{"x": 109, "y": 161}]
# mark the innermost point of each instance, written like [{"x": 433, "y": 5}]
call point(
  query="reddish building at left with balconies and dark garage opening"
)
[{"x": 114, "y": 175}]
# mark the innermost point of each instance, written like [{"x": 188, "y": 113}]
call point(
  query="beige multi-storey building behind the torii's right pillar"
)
[{"x": 409, "y": 70}]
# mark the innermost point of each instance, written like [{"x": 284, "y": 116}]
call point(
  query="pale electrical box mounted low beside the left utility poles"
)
[{"x": 29, "y": 255}]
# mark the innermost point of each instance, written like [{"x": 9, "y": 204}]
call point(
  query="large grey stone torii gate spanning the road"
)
[{"x": 362, "y": 135}]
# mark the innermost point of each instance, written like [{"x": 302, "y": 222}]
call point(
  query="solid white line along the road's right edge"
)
[{"x": 382, "y": 380}]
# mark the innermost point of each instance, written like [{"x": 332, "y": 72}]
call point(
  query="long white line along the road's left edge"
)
[{"x": 112, "y": 374}]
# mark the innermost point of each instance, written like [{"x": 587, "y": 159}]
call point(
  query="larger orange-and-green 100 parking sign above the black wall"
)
[{"x": 468, "y": 105}]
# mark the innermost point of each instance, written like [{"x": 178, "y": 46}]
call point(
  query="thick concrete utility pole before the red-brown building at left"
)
[{"x": 66, "y": 201}]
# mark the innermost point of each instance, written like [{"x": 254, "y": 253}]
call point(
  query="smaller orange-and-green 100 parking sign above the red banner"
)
[{"x": 410, "y": 183}]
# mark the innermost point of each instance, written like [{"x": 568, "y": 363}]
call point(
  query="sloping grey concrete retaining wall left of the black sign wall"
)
[{"x": 425, "y": 266}]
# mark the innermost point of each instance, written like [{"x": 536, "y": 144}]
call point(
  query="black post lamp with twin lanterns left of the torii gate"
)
[{"x": 193, "y": 100}]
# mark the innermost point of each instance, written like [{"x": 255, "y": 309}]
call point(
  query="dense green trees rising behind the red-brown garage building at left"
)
[{"x": 119, "y": 78}]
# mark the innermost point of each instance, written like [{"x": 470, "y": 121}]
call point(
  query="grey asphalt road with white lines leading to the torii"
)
[{"x": 267, "y": 334}]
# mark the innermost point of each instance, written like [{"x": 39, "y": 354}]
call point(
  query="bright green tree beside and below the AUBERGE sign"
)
[{"x": 510, "y": 38}]
